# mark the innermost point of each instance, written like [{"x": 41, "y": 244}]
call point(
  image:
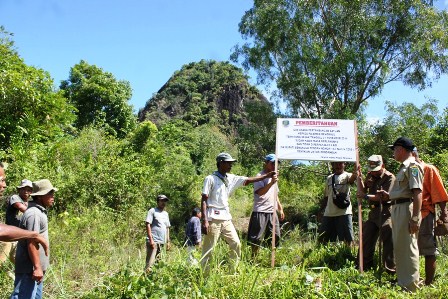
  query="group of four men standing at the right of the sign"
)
[{"x": 402, "y": 212}]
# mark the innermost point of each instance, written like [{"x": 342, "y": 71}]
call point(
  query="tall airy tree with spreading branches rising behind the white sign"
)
[{"x": 328, "y": 58}]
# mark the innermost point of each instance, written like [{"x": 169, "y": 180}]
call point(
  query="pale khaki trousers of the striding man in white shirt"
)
[{"x": 226, "y": 230}]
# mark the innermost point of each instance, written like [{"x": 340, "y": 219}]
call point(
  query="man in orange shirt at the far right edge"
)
[{"x": 433, "y": 193}]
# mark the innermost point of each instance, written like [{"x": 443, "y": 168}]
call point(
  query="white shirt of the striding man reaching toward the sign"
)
[{"x": 219, "y": 189}]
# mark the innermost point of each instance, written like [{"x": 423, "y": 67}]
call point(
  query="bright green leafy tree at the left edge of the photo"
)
[{"x": 32, "y": 111}]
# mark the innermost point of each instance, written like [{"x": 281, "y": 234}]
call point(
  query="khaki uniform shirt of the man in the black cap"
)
[{"x": 409, "y": 176}]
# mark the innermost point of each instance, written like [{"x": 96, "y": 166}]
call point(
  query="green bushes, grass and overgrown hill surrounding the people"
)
[{"x": 109, "y": 169}]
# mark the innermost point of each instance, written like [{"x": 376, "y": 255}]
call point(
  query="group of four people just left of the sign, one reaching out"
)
[{"x": 216, "y": 216}]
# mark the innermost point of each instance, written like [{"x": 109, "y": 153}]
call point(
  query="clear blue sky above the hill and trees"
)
[{"x": 146, "y": 41}]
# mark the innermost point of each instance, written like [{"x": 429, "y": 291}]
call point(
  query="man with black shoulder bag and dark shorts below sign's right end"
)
[{"x": 337, "y": 221}]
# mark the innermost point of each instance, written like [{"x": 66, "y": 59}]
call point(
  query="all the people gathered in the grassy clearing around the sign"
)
[{"x": 402, "y": 215}]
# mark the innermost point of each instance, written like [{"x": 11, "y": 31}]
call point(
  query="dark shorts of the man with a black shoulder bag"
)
[{"x": 336, "y": 228}]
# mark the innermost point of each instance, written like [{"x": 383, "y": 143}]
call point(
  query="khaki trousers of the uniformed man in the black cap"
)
[{"x": 405, "y": 247}]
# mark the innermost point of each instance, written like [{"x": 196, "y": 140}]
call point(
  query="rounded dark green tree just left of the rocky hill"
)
[{"x": 101, "y": 99}]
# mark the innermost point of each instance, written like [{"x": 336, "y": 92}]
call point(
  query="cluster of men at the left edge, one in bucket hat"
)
[{"x": 27, "y": 223}]
